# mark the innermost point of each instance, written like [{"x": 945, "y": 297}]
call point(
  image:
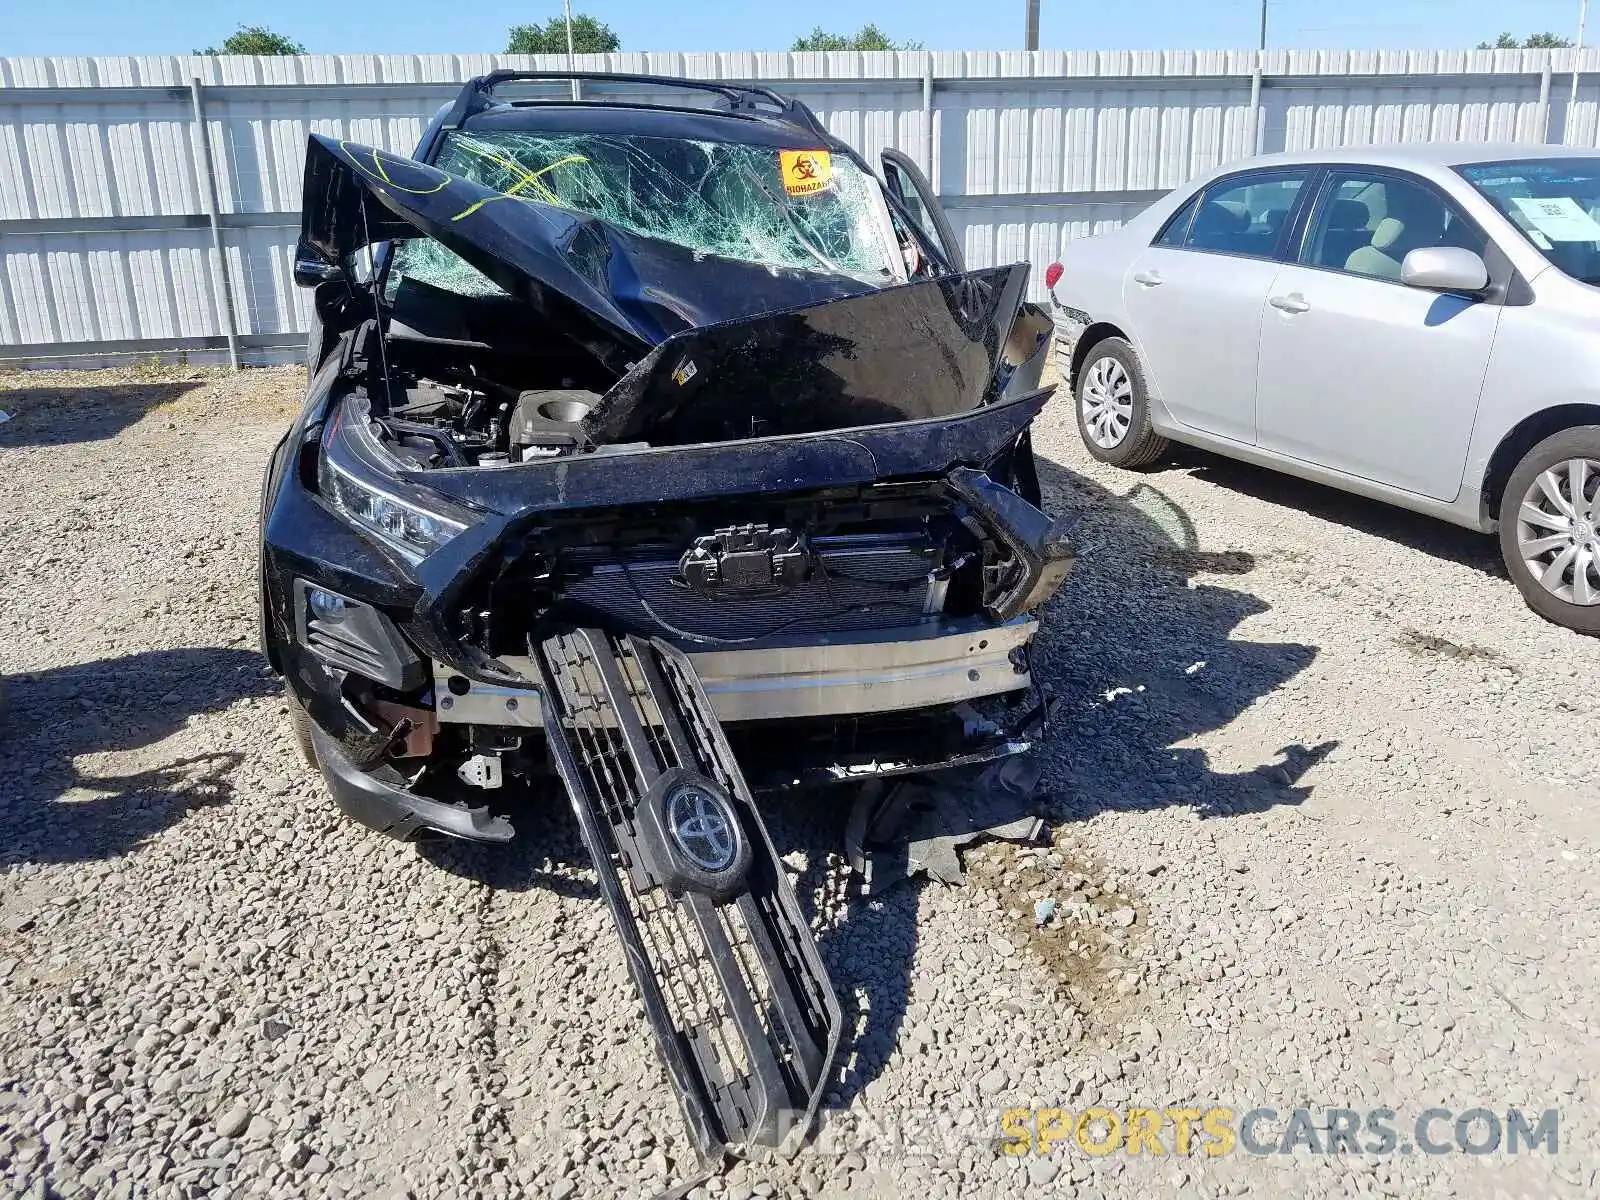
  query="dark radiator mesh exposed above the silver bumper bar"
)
[{"x": 857, "y": 583}]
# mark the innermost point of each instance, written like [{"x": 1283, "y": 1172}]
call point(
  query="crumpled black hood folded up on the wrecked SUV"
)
[{"x": 706, "y": 350}]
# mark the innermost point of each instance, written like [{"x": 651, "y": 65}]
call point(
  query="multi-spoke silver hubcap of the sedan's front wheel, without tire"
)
[{"x": 1559, "y": 530}]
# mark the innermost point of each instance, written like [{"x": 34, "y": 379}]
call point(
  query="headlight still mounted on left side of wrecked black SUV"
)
[{"x": 353, "y": 479}]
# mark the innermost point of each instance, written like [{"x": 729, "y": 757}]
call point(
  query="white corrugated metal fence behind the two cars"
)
[{"x": 151, "y": 204}]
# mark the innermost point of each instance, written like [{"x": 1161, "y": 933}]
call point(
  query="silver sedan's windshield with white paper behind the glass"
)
[{"x": 1554, "y": 202}]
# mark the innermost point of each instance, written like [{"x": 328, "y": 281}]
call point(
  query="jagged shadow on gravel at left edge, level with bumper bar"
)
[{"x": 52, "y": 810}]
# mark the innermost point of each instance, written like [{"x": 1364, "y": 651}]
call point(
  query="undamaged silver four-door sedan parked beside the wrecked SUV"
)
[{"x": 1415, "y": 324}]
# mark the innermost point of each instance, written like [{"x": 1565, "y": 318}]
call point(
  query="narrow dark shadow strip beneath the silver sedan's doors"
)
[{"x": 1412, "y": 530}]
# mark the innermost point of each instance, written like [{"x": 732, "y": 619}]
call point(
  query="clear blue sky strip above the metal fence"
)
[{"x": 399, "y": 26}]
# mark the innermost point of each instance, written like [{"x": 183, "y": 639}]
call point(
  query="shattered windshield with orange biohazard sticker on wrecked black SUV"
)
[{"x": 799, "y": 209}]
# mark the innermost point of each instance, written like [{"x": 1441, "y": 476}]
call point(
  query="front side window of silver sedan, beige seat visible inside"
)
[{"x": 1369, "y": 223}]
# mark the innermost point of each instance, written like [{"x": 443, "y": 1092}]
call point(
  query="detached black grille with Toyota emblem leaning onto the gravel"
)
[{"x": 745, "y": 1015}]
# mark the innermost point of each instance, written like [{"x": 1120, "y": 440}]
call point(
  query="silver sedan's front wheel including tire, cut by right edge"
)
[{"x": 1550, "y": 529}]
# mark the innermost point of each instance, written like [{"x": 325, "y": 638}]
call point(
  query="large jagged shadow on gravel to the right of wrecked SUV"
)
[{"x": 1142, "y": 658}]
